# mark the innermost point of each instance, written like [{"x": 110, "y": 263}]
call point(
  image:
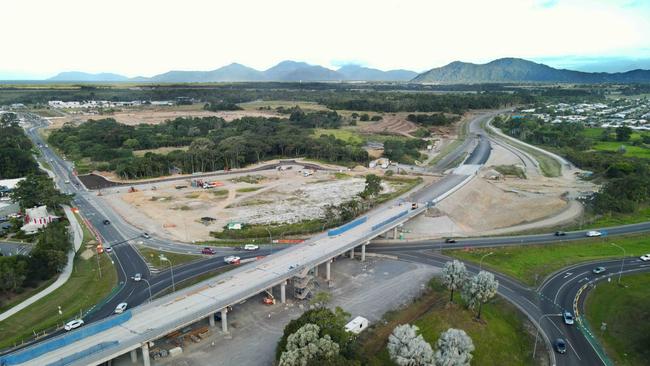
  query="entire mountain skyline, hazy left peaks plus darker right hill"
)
[{"x": 504, "y": 70}]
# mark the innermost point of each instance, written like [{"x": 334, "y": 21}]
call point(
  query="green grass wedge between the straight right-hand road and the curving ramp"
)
[{"x": 531, "y": 264}]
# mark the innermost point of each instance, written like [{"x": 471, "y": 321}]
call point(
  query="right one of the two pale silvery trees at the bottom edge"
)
[{"x": 454, "y": 348}]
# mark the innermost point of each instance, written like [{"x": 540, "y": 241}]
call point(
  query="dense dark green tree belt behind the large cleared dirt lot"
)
[{"x": 212, "y": 144}]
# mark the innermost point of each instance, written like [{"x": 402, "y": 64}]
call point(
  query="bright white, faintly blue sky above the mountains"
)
[{"x": 148, "y": 37}]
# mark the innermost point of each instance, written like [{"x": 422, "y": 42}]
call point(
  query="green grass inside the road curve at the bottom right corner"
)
[{"x": 626, "y": 310}]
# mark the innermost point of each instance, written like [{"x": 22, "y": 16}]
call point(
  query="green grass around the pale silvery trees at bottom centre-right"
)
[{"x": 500, "y": 339}]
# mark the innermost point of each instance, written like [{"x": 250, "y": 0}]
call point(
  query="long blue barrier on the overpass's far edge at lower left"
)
[{"x": 49, "y": 345}]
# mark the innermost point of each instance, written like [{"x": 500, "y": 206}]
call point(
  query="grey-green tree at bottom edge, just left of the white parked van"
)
[{"x": 306, "y": 344}]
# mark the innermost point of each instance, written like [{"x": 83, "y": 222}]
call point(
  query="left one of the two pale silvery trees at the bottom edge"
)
[{"x": 407, "y": 348}]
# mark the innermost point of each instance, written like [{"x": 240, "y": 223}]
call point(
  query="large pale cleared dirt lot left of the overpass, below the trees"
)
[{"x": 285, "y": 196}]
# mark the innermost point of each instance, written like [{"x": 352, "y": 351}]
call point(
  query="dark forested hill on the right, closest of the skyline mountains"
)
[{"x": 515, "y": 70}]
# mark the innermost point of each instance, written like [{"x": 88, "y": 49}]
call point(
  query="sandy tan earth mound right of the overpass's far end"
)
[{"x": 486, "y": 206}]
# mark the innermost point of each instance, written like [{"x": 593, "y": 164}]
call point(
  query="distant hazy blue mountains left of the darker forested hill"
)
[{"x": 284, "y": 71}]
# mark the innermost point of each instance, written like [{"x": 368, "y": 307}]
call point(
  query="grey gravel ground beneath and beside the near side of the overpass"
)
[{"x": 368, "y": 289}]
